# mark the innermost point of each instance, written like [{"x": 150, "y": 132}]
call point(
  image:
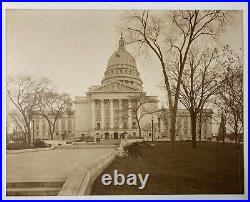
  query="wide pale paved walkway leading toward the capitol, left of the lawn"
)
[{"x": 52, "y": 164}]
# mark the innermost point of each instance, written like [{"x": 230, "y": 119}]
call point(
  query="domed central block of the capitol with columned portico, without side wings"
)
[{"x": 106, "y": 110}]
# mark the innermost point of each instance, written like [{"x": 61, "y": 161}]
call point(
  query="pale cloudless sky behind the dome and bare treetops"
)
[{"x": 72, "y": 47}]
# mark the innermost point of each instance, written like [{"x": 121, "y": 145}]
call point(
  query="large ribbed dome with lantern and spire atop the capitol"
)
[{"x": 122, "y": 68}]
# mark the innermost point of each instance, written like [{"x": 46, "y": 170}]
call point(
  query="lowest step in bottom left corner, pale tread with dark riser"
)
[{"x": 33, "y": 191}]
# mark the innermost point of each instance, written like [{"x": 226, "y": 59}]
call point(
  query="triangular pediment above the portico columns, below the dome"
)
[{"x": 115, "y": 87}]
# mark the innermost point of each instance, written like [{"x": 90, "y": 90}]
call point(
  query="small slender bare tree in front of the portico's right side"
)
[{"x": 140, "y": 110}]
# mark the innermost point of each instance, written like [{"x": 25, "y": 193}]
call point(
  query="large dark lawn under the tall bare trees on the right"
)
[{"x": 211, "y": 168}]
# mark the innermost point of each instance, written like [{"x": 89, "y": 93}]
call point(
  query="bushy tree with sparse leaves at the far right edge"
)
[{"x": 230, "y": 97}]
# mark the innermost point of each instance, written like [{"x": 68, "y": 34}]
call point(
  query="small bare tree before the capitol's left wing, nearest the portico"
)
[{"x": 52, "y": 106}]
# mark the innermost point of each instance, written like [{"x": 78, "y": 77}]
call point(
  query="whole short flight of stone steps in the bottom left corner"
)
[{"x": 34, "y": 188}]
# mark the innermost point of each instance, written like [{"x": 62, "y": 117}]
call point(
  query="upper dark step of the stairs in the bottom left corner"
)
[{"x": 16, "y": 184}]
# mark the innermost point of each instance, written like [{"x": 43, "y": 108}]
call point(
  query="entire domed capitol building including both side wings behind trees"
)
[{"x": 106, "y": 111}]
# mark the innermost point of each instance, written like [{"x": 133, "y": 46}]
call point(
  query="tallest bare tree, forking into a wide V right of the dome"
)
[{"x": 145, "y": 29}]
